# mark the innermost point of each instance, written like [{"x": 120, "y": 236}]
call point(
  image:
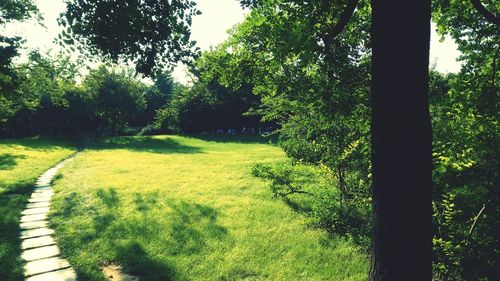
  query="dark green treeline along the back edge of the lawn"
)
[{"x": 51, "y": 99}]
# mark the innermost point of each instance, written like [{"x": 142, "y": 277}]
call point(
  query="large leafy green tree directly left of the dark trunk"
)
[{"x": 317, "y": 95}]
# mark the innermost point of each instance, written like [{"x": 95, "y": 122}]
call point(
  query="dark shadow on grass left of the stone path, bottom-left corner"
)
[{"x": 11, "y": 206}]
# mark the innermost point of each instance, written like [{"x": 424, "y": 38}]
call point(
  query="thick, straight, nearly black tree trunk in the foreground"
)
[{"x": 401, "y": 141}]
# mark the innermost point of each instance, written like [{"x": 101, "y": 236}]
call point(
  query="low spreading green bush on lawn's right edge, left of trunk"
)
[{"x": 324, "y": 203}]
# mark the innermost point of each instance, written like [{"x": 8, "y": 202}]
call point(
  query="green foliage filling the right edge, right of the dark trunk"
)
[{"x": 466, "y": 148}]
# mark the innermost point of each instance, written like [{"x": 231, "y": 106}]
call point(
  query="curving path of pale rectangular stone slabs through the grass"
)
[{"x": 40, "y": 252}]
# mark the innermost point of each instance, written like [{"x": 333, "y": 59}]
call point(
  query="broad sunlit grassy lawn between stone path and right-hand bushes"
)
[{"x": 187, "y": 208}]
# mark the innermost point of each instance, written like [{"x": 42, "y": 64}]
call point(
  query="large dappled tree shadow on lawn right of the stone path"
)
[{"x": 146, "y": 235}]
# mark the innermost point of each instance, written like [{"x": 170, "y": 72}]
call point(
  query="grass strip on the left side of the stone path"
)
[{"x": 21, "y": 162}]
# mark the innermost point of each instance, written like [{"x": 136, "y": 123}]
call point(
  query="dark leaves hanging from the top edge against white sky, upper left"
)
[{"x": 151, "y": 34}]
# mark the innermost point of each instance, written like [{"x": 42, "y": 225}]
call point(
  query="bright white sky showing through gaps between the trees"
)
[{"x": 208, "y": 29}]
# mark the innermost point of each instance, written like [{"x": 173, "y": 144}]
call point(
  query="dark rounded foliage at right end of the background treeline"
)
[{"x": 210, "y": 104}]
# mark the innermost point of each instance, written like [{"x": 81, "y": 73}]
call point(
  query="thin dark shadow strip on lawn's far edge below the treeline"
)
[{"x": 144, "y": 144}]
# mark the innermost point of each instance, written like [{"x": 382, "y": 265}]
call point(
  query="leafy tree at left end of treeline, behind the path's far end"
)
[{"x": 43, "y": 83}]
